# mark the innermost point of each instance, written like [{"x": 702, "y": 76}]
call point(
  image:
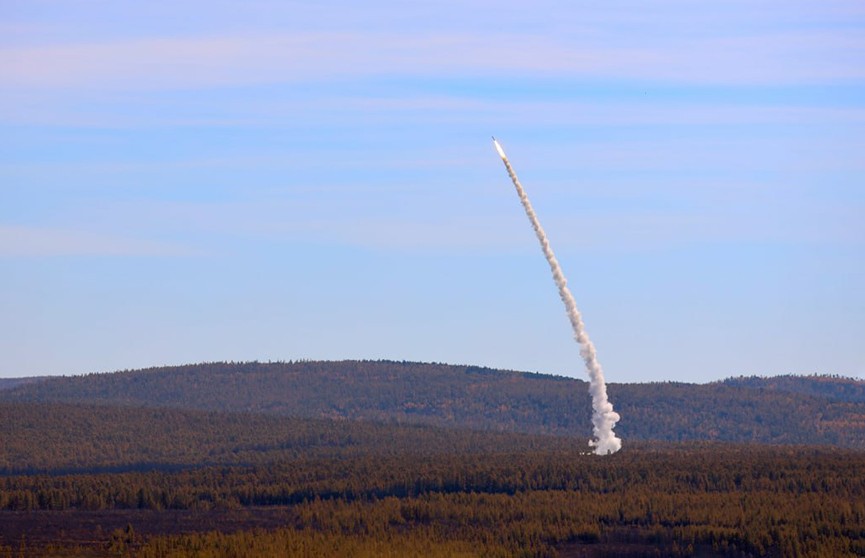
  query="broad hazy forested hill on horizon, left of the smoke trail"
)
[{"x": 380, "y": 390}]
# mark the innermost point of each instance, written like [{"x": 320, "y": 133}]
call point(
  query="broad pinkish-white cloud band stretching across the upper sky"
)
[{"x": 169, "y": 63}]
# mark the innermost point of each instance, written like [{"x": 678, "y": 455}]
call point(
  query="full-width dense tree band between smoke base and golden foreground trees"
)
[{"x": 668, "y": 470}]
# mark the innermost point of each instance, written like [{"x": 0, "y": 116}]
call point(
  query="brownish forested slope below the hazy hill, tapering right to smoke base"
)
[{"x": 66, "y": 438}]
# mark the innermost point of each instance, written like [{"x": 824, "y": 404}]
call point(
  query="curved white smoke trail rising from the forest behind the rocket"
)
[{"x": 603, "y": 416}]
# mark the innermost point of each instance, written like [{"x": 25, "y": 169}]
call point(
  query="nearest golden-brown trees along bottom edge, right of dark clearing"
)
[{"x": 540, "y": 523}]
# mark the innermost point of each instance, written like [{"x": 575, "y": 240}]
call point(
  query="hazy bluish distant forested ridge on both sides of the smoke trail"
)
[{"x": 478, "y": 398}]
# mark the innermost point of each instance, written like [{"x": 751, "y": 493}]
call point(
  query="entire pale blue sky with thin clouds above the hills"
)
[{"x": 200, "y": 181}]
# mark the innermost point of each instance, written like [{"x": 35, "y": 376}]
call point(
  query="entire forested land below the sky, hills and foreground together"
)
[{"x": 343, "y": 459}]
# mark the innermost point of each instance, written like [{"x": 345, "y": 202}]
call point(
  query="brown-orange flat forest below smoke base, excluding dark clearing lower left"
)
[{"x": 712, "y": 500}]
